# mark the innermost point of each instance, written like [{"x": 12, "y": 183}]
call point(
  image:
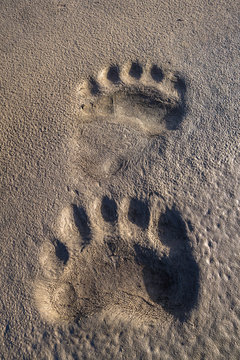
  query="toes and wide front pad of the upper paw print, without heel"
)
[{"x": 145, "y": 97}]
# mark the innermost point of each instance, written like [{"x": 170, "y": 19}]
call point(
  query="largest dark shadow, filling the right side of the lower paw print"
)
[{"x": 171, "y": 281}]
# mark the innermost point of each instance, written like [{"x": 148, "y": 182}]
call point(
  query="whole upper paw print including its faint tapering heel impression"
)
[{"x": 119, "y": 112}]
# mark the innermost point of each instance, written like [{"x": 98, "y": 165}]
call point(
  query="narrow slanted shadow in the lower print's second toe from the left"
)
[{"x": 82, "y": 223}]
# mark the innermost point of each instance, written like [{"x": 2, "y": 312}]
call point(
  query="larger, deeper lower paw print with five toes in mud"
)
[{"x": 132, "y": 258}]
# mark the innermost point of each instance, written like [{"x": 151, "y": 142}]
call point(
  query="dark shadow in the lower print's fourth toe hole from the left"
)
[{"x": 138, "y": 213}]
